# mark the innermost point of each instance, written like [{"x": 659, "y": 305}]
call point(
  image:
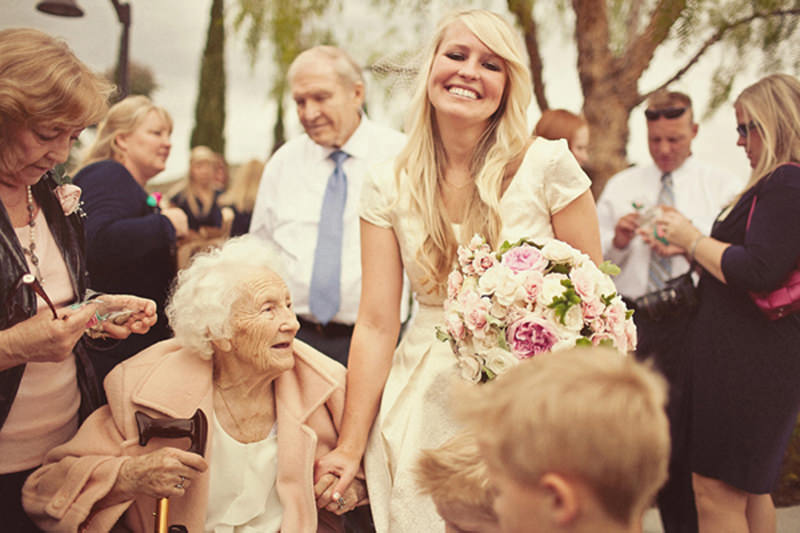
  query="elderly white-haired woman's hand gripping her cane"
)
[{"x": 163, "y": 473}]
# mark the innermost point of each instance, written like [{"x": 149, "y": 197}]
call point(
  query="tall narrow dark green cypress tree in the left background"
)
[{"x": 210, "y": 108}]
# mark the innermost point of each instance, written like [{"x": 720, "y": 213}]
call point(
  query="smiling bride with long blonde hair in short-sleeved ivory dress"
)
[{"x": 469, "y": 167}]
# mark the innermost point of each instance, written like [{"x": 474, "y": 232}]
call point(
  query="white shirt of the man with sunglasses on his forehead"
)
[{"x": 700, "y": 192}]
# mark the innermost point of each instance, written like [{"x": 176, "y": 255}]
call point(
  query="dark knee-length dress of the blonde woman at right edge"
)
[{"x": 746, "y": 368}]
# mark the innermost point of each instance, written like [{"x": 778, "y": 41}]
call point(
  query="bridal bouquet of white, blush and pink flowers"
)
[{"x": 526, "y": 298}]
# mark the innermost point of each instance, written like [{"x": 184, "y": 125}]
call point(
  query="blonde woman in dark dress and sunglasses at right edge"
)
[{"x": 745, "y": 397}]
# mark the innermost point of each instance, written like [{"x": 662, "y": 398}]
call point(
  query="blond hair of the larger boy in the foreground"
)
[{"x": 588, "y": 413}]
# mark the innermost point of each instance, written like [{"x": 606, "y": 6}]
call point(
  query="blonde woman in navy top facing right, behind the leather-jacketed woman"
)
[{"x": 130, "y": 241}]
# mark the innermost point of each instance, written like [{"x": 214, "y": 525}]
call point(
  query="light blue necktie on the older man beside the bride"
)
[{"x": 324, "y": 293}]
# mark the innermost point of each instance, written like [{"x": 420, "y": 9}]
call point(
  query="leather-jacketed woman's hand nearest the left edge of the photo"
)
[{"x": 43, "y": 339}]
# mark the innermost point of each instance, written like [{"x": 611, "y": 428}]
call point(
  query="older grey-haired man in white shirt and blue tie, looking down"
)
[{"x": 307, "y": 203}]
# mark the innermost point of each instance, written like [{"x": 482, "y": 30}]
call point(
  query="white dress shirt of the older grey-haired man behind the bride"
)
[{"x": 287, "y": 208}]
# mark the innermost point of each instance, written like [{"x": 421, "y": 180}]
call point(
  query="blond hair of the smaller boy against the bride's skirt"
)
[{"x": 457, "y": 478}]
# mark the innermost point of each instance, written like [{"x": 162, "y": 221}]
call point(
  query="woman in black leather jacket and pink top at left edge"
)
[{"x": 47, "y": 96}]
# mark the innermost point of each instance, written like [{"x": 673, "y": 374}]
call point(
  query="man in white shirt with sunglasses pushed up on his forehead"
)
[{"x": 626, "y": 208}]
